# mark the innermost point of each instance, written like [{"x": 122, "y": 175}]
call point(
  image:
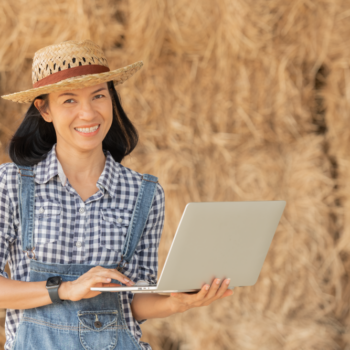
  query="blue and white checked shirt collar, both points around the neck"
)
[{"x": 50, "y": 167}]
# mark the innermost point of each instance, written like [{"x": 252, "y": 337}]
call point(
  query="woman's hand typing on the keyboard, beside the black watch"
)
[{"x": 96, "y": 277}]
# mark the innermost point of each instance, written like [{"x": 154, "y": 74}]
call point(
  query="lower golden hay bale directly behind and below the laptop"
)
[{"x": 295, "y": 288}]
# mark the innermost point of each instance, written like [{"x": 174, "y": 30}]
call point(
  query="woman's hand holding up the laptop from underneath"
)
[{"x": 180, "y": 302}]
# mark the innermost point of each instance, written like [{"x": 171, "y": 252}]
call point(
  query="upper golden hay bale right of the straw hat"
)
[{"x": 248, "y": 66}]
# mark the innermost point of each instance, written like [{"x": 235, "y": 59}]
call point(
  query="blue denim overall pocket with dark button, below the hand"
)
[{"x": 98, "y": 329}]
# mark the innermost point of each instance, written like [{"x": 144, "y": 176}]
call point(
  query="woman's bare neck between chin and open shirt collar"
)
[{"x": 82, "y": 165}]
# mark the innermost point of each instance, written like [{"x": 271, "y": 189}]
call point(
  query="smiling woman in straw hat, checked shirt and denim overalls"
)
[{"x": 67, "y": 209}]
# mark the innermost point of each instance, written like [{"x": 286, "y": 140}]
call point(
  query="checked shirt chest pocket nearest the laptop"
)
[{"x": 114, "y": 224}]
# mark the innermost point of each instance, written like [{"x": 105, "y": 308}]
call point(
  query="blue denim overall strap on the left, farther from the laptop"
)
[{"x": 26, "y": 201}]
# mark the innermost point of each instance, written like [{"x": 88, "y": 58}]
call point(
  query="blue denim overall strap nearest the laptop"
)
[{"x": 139, "y": 217}]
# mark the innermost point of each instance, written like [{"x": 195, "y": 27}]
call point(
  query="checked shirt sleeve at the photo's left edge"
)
[{"x": 7, "y": 230}]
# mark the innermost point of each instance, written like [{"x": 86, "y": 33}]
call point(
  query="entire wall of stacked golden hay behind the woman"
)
[{"x": 229, "y": 107}]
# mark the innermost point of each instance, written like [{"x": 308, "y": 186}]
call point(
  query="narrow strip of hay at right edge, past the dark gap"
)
[{"x": 336, "y": 96}]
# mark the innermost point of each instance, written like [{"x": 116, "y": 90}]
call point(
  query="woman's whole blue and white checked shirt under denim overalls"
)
[{"x": 70, "y": 231}]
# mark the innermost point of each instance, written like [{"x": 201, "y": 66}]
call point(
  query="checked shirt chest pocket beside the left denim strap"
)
[{"x": 47, "y": 222}]
